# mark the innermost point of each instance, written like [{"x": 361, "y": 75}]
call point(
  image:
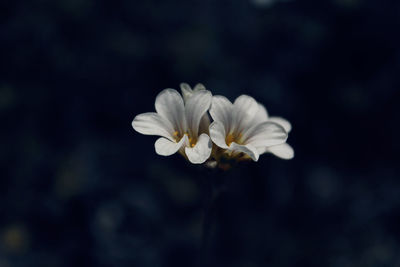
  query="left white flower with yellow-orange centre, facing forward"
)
[{"x": 177, "y": 121}]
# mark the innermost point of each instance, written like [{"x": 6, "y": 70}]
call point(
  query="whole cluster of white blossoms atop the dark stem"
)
[{"x": 239, "y": 131}]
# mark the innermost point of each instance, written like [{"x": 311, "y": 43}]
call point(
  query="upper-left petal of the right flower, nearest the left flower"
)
[{"x": 221, "y": 110}]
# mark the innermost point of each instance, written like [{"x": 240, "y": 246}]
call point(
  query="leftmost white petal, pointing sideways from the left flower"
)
[{"x": 151, "y": 123}]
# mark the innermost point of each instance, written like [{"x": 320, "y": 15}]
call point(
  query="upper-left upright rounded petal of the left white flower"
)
[{"x": 169, "y": 104}]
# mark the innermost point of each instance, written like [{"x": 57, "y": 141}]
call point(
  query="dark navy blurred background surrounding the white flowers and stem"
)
[{"x": 79, "y": 187}]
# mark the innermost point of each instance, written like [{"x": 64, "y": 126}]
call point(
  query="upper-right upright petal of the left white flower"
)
[{"x": 196, "y": 106}]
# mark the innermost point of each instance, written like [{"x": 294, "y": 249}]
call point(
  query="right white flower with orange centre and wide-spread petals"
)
[{"x": 244, "y": 127}]
